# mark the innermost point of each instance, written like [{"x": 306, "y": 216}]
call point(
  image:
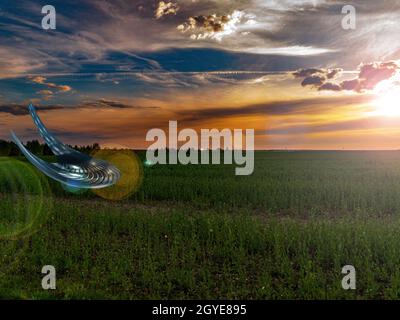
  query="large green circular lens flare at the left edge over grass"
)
[{"x": 25, "y": 205}]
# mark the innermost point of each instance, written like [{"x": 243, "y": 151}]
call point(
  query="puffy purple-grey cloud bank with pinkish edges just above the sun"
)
[{"x": 369, "y": 76}]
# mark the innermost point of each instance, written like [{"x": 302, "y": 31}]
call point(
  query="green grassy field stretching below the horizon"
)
[{"x": 200, "y": 232}]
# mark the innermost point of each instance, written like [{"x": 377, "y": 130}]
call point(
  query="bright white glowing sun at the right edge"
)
[{"x": 387, "y": 103}]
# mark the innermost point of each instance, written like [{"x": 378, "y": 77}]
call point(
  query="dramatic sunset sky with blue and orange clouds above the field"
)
[{"x": 114, "y": 69}]
